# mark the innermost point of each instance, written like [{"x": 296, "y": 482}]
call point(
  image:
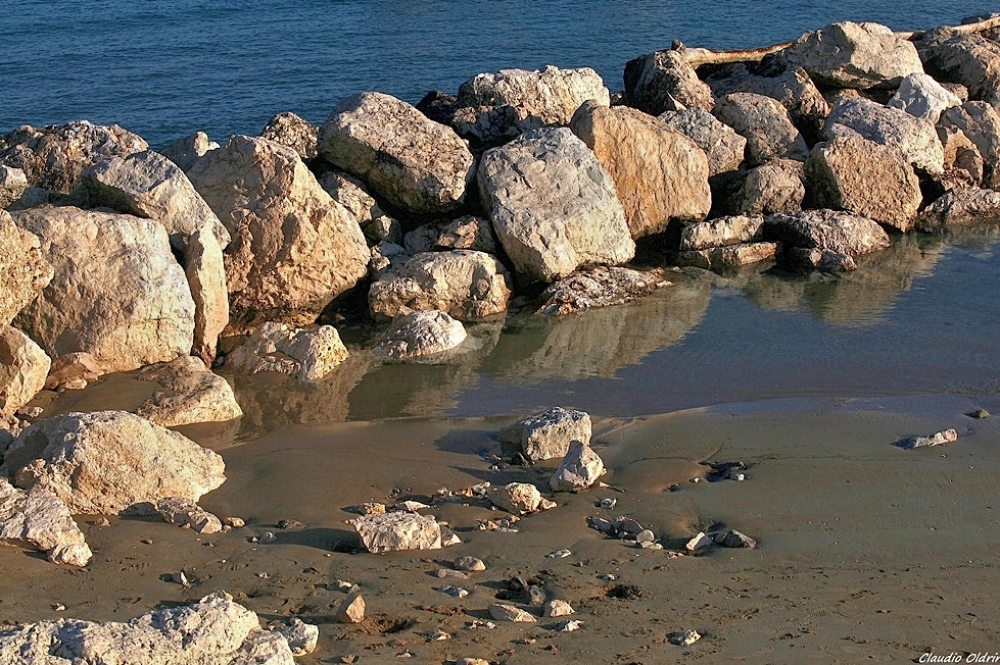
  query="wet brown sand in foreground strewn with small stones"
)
[{"x": 867, "y": 552}]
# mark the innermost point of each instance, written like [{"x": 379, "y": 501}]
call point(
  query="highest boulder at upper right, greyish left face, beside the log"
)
[{"x": 854, "y": 55}]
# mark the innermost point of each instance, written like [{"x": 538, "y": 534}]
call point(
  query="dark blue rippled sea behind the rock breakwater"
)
[{"x": 165, "y": 69}]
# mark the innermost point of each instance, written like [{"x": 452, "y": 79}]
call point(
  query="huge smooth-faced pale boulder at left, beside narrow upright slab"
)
[{"x": 118, "y": 292}]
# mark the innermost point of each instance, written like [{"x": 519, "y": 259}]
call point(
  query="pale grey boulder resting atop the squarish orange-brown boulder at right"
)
[{"x": 915, "y": 137}]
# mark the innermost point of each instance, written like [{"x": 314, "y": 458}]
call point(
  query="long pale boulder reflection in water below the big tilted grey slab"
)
[{"x": 598, "y": 342}]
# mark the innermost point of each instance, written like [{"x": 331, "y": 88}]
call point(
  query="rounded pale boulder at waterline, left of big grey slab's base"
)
[{"x": 467, "y": 285}]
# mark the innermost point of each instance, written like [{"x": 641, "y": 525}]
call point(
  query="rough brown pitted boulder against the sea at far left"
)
[{"x": 54, "y": 156}]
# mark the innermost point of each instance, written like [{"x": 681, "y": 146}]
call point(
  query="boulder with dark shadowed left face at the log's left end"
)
[{"x": 664, "y": 81}]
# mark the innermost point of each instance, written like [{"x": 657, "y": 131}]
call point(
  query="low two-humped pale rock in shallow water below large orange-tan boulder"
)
[{"x": 307, "y": 355}]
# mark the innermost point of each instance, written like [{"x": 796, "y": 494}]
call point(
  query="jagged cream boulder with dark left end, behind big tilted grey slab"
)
[{"x": 501, "y": 105}]
